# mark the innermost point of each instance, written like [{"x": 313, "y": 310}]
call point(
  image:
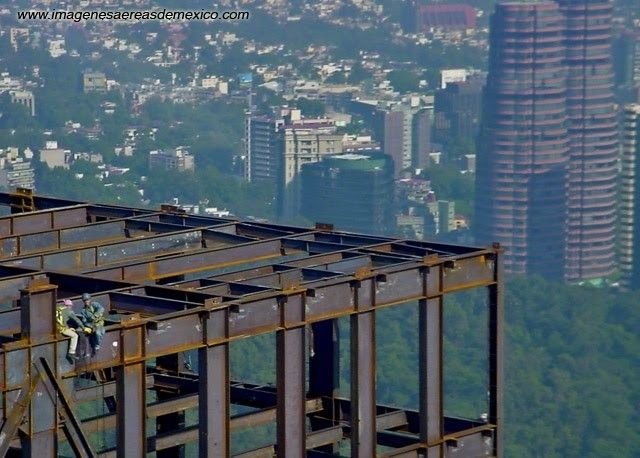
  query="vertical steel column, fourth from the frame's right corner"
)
[{"x": 290, "y": 379}]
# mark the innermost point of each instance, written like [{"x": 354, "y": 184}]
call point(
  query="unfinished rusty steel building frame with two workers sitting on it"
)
[{"x": 176, "y": 282}]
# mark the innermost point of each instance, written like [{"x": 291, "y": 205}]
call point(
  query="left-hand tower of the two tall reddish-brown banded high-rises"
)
[{"x": 523, "y": 145}]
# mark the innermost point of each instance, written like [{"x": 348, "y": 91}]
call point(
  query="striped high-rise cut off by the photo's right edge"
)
[{"x": 629, "y": 198}]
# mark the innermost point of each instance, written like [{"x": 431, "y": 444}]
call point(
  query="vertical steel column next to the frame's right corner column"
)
[{"x": 430, "y": 354}]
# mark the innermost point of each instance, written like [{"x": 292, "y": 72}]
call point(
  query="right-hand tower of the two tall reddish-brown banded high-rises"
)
[{"x": 594, "y": 139}]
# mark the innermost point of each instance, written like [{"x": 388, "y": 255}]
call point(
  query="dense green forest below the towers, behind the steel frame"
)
[{"x": 572, "y": 369}]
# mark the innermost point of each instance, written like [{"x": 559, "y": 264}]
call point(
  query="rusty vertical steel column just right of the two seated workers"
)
[{"x": 131, "y": 396}]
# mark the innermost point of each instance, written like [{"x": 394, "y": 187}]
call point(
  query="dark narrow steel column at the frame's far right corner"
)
[{"x": 496, "y": 355}]
